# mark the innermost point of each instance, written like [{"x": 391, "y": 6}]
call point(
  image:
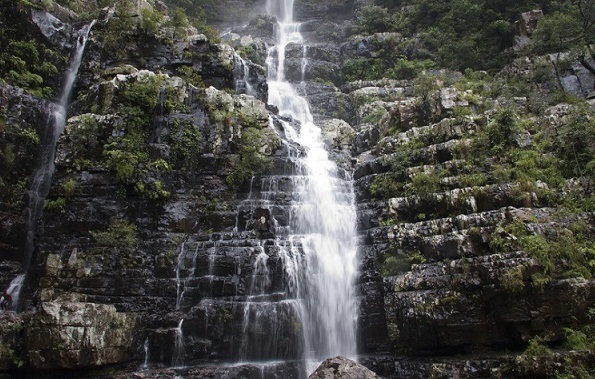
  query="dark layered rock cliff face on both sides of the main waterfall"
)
[{"x": 151, "y": 246}]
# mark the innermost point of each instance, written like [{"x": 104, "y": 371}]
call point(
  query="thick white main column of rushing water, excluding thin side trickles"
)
[{"x": 322, "y": 220}]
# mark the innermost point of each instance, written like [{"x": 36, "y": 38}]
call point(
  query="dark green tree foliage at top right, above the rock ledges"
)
[{"x": 460, "y": 34}]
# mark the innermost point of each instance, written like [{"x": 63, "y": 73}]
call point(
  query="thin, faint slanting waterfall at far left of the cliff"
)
[{"x": 40, "y": 185}]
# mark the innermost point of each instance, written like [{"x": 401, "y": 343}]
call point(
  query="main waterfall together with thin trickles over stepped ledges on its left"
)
[{"x": 277, "y": 292}]
